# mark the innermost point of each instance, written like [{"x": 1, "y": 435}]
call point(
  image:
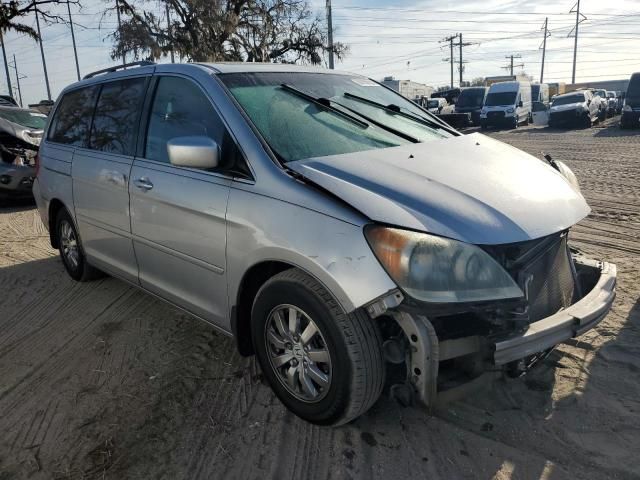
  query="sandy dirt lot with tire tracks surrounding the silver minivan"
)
[{"x": 101, "y": 381}]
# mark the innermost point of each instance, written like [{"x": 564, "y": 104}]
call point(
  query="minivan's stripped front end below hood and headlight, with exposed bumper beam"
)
[{"x": 451, "y": 349}]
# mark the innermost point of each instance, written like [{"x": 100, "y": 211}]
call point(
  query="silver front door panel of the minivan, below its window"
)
[{"x": 180, "y": 237}]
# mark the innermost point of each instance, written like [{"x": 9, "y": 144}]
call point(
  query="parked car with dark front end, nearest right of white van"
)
[{"x": 574, "y": 109}]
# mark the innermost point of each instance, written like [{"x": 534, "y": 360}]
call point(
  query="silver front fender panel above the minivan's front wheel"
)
[{"x": 262, "y": 228}]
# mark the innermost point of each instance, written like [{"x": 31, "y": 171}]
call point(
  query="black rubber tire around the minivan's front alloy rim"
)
[{"x": 353, "y": 342}]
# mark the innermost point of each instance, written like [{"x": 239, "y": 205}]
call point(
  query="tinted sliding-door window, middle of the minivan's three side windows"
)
[{"x": 116, "y": 119}]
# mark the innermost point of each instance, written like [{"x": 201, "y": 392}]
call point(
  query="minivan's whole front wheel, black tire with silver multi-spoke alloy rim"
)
[{"x": 326, "y": 366}]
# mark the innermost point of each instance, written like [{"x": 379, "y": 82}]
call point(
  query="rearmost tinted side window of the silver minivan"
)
[{"x": 72, "y": 119}]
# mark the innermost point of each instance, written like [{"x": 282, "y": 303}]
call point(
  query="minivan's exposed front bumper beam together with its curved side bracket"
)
[{"x": 491, "y": 354}]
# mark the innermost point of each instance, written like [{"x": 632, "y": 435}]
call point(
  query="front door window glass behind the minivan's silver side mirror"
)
[{"x": 181, "y": 109}]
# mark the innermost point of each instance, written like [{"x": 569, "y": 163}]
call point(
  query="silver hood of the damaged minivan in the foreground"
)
[{"x": 470, "y": 188}]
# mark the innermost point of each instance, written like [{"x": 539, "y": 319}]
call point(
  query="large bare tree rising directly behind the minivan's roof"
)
[{"x": 219, "y": 30}]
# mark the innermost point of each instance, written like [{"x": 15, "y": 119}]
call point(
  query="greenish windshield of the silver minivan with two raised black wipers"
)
[{"x": 297, "y": 128}]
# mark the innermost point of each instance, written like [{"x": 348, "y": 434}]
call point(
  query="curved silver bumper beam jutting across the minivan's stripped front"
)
[{"x": 568, "y": 323}]
